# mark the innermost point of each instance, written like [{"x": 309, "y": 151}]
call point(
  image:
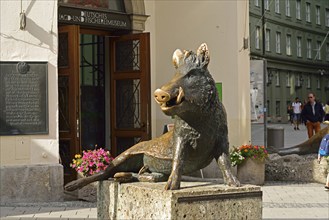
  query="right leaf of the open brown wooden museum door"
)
[{"x": 130, "y": 91}]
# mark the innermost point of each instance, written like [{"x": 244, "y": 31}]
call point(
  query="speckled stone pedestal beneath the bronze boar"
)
[{"x": 195, "y": 200}]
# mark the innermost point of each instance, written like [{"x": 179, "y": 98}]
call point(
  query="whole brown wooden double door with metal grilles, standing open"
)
[{"x": 103, "y": 92}]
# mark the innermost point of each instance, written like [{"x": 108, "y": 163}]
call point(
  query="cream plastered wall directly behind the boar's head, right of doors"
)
[{"x": 220, "y": 24}]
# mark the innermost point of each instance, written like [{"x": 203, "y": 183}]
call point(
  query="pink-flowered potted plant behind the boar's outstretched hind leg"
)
[{"x": 87, "y": 164}]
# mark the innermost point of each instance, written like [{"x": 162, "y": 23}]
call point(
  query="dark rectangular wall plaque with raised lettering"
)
[{"x": 23, "y": 98}]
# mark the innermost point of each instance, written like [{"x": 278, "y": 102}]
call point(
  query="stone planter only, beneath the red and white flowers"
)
[{"x": 251, "y": 172}]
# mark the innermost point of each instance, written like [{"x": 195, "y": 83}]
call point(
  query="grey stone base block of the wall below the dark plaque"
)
[{"x": 31, "y": 183}]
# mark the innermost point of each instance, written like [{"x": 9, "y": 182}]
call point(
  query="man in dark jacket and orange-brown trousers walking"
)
[{"x": 312, "y": 114}]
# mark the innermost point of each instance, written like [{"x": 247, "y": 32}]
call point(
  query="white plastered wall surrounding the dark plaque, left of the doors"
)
[{"x": 38, "y": 42}]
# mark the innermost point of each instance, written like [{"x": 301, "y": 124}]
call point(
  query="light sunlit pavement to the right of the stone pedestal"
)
[{"x": 284, "y": 200}]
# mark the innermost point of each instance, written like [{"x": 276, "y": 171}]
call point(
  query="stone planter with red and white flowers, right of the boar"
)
[{"x": 250, "y": 162}]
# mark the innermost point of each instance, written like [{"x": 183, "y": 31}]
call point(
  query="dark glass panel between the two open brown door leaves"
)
[{"x": 92, "y": 91}]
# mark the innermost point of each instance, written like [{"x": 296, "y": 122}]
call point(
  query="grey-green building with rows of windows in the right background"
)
[{"x": 292, "y": 35}]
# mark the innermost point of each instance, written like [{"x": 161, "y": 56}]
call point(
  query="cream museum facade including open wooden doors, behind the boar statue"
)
[{"x": 103, "y": 60}]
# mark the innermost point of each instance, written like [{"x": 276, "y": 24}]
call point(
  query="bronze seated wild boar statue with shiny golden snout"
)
[{"x": 199, "y": 134}]
